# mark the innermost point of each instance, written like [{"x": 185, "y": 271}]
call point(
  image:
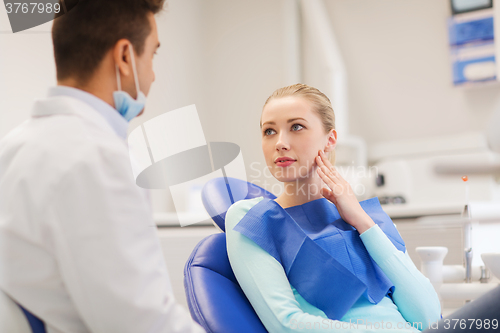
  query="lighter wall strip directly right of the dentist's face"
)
[{"x": 179, "y": 71}]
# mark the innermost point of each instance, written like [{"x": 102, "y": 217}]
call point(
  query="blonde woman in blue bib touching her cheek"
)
[{"x": 315, "y": 259}]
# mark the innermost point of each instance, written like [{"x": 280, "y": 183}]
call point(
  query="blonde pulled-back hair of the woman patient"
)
[{"x": 320, "y": 102}]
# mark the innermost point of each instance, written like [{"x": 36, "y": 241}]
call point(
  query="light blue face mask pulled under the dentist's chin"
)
[{"x": 128, "y": 107}]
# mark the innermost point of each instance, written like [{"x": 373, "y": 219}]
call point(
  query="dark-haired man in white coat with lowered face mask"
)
[{"x": 78, "y": 245}]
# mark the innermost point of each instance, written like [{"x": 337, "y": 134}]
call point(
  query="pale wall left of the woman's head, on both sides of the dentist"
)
[{"x": 224, "y": 56}]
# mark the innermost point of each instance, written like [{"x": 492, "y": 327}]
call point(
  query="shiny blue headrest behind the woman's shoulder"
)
[{"x": 220, "y": 193}]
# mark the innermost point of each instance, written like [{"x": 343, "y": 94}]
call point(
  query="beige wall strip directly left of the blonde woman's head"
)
[{"x": 245, "y": 50}]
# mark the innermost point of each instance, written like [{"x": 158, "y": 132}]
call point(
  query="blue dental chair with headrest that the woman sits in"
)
[{"x": 214, "y": 297}]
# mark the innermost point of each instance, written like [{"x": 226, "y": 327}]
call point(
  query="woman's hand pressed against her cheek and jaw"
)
[{"x": 340, "y": 193}]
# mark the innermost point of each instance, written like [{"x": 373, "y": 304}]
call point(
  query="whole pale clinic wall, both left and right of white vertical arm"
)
[{"x": 227, "y": 56}]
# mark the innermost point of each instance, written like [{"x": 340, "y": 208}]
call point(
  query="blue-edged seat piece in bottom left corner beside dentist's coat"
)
[{"x": 16, "y": 319}]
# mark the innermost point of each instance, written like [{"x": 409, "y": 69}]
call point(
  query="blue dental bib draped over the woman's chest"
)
[{"x": 322, "y": 255}]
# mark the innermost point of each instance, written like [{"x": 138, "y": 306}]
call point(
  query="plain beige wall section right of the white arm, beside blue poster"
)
[{"x": 400, "y": 81}]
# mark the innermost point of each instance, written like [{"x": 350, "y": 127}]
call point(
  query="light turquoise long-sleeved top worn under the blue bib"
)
[{"x": 414, "y": 305}]
